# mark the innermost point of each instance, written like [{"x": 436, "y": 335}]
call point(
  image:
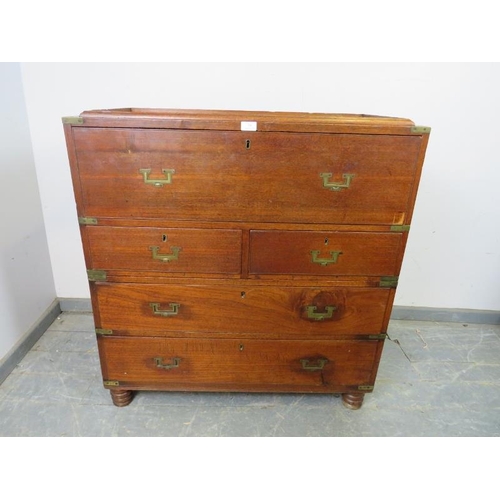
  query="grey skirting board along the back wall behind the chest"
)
[{"x": 398, "y": 312}]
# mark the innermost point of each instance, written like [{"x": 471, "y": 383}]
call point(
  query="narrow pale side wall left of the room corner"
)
[{"x": 26, "y": 283}]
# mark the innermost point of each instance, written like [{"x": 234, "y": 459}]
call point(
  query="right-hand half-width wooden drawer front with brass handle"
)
[{"x": 324, "y": 253}]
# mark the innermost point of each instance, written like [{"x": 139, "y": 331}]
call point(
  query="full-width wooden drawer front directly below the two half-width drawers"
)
[{"x": 260, "y": 310}]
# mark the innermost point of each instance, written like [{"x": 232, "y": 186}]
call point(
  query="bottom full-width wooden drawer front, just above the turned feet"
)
[{"x": 178, "y": 364}]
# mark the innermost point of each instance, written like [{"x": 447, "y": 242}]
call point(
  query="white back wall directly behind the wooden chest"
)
[{"x": 453, "y": 255}]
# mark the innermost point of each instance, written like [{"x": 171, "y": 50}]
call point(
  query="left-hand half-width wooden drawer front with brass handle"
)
[{"x": 165, "y": 249}]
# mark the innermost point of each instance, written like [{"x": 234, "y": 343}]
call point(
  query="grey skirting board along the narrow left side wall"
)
[{"x": 28, "y": 340}]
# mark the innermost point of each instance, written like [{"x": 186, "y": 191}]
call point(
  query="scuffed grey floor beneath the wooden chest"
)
[{"x": 435, "y": 379}]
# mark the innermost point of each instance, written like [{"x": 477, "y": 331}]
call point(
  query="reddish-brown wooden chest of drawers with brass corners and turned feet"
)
[{"x": 242, "y": 251}]
